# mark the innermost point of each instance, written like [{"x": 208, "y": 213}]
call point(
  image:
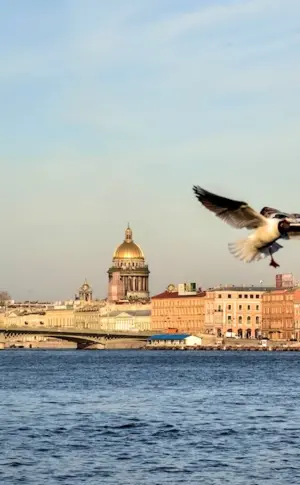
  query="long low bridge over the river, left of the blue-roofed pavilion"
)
[{"x": 83, "y": 337}]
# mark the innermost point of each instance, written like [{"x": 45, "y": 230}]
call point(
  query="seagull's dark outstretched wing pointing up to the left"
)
[{"x": 234, "y": 212}]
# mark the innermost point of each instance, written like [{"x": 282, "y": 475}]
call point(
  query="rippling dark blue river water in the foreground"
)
[{"x": 149, "y": 418}]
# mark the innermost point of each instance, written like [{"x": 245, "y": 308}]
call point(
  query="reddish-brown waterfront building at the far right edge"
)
[{"x": 280, "y": 314}]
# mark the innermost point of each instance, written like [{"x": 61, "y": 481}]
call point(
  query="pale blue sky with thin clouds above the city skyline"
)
[{"x": 112, "y": 111}]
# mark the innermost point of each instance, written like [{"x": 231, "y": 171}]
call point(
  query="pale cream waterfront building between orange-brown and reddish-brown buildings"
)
[{"x": 235, "y": 310}]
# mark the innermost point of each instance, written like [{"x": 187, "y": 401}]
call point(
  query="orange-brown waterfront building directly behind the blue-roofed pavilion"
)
[{"x": 178, "y": 309}]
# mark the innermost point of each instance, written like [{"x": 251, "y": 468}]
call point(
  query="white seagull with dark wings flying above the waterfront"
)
[{"x": 269, "y": 225}]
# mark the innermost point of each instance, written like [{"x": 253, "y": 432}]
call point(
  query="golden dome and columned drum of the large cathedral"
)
[{"x": 128, "y": 275}]
